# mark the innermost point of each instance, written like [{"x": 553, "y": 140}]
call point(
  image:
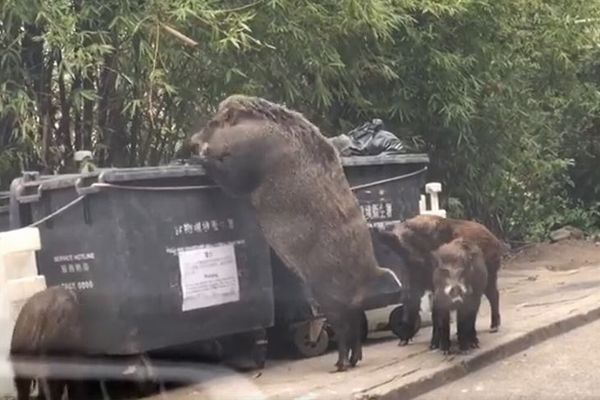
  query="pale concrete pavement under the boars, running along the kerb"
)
[{"x": 536, "y": 304}]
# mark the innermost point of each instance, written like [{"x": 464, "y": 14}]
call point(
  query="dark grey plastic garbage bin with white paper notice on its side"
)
[{"x": 171, "y": 259}]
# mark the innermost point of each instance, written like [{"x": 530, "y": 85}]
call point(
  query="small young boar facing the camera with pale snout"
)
[{"x": 459, "y": 280}]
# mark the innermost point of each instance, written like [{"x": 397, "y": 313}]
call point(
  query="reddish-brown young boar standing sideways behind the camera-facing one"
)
[{"x": 416, "y": 239}]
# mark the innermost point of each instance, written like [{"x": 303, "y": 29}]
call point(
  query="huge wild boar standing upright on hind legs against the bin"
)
[{"x": 295, "y": 182}]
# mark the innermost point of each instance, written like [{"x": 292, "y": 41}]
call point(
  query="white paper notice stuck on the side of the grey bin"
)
[{"x": 208, "y": 277}]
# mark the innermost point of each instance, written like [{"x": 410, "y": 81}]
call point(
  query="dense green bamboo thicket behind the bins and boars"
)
[{"x": 504, "y": 95}]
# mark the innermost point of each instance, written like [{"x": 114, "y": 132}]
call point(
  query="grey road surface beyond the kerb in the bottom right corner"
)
[{"x": 566, "y": 367}]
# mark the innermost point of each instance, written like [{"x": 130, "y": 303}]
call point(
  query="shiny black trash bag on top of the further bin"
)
[{"x": 369, "y": 139}]
